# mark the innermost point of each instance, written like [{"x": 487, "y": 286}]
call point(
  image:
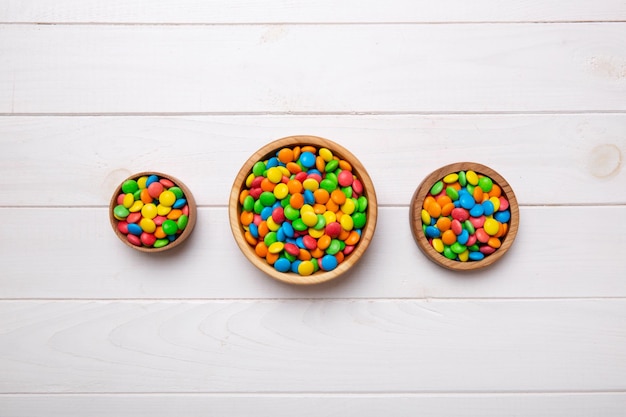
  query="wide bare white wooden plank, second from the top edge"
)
[{"x": 312, "y": 68}]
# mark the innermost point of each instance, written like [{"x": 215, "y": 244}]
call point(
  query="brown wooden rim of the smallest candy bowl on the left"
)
[{"x": 181, "y": 238}]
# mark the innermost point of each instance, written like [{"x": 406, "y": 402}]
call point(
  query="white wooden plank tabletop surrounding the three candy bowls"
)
[{"x": 92, "y": 91}]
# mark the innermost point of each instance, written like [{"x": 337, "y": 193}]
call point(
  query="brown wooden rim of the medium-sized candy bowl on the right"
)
[{"x": 416, "y": 218}]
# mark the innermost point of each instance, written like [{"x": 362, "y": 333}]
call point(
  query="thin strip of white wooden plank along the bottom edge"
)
[{"x": 313, "y": 405}]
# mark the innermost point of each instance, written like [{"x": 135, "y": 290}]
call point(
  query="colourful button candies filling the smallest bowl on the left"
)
[{"x": 151, "y": 211}]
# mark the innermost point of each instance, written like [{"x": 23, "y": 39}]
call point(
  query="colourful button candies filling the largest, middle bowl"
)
[{"x": 303, "y": 209}]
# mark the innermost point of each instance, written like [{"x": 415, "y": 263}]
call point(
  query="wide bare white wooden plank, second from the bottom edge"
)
[{"x": 313, "y": 346}]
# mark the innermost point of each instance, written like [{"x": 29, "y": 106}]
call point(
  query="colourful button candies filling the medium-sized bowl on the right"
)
[{"x": 465, "y": 216}]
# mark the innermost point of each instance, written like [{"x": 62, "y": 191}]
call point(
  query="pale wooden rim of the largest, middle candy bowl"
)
[{"x": 269, "y": 151}]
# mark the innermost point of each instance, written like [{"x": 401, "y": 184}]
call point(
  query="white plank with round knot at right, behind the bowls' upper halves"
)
[{"x": 547, "y": 159}]
